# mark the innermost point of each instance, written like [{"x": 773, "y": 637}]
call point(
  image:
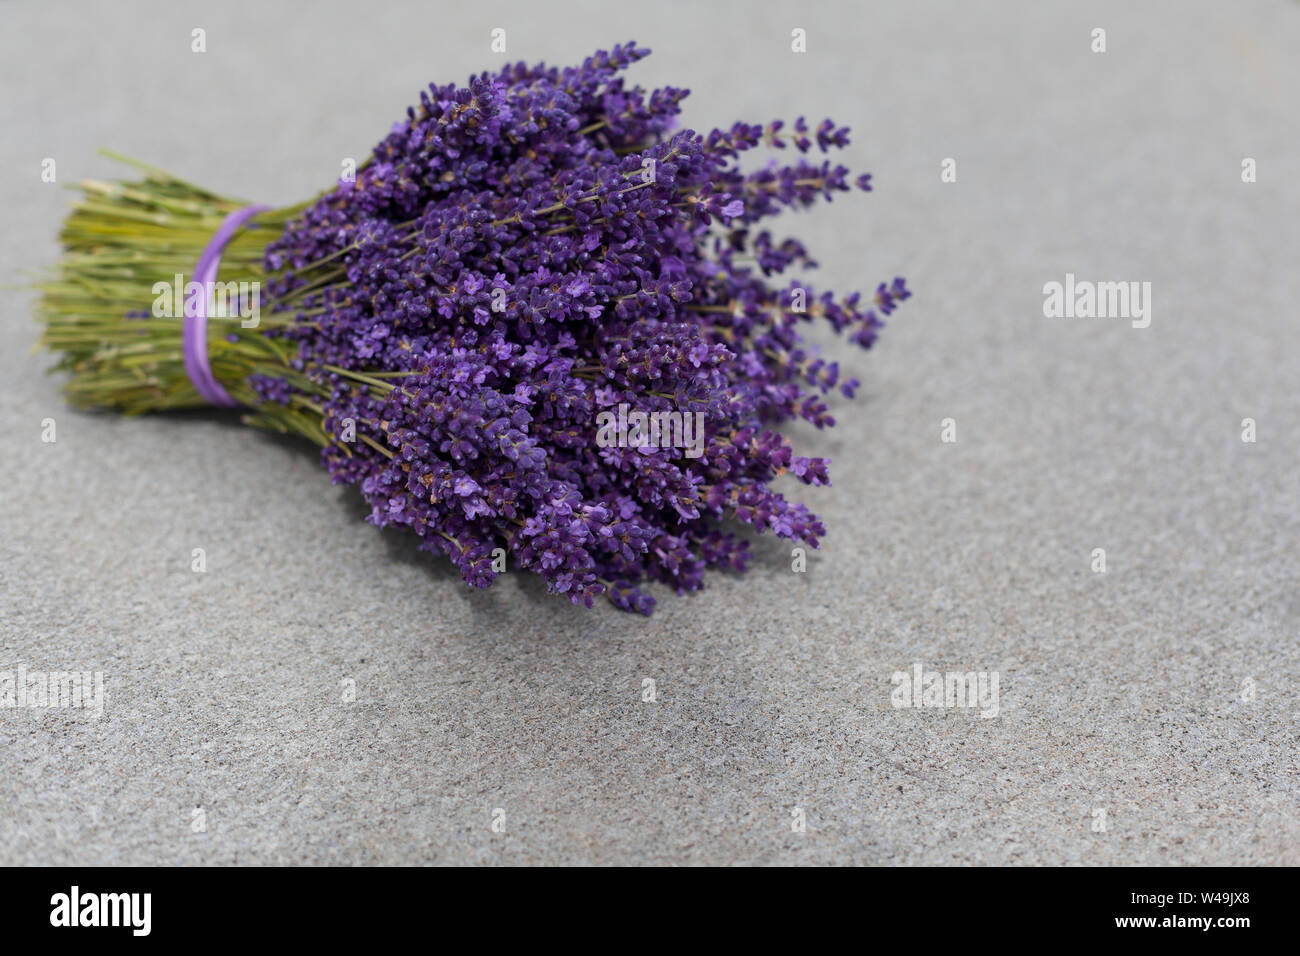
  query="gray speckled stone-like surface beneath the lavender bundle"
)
[{"x": 1120, "y": 691}]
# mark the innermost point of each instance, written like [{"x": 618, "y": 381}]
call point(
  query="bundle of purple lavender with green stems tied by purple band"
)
[{"x": 540, "y": 327}]
